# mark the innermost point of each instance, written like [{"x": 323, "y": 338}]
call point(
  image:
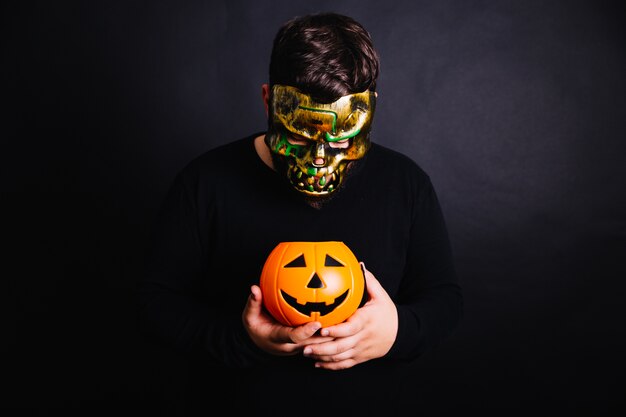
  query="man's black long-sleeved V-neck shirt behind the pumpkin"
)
[{"x": 225, "y": 212}]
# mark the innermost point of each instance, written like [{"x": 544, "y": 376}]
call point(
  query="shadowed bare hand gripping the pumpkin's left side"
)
[{"x": 272, "y": 336}]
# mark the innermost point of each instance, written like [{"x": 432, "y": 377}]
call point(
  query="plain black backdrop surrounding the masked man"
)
[{"x": 516, "y": 109}]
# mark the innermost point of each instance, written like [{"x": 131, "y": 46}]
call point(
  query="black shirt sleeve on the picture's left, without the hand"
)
[{"x": 169, "y": 310}]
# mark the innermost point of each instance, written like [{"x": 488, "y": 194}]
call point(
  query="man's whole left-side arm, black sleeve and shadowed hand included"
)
[{"x": 172, "y": 313}]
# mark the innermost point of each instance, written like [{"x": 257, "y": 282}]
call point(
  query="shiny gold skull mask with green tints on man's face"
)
[{"x": 318, "y": 140}]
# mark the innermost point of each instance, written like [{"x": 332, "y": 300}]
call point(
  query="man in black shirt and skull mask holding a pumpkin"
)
[{"x": 314, "y": 175}]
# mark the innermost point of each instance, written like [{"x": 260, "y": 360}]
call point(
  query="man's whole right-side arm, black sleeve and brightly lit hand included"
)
[{"x": 427, "y": 308}]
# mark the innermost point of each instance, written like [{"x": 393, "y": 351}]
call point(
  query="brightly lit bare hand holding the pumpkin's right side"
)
[{"x": 368, "y": 334}]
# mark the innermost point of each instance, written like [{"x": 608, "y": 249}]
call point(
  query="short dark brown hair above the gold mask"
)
[{"x": 326, "y": 55}]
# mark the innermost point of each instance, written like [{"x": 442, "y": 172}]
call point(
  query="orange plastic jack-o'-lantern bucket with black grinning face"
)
[{"x": 312, "y": 281}]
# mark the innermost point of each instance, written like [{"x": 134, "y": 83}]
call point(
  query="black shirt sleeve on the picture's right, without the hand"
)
[{"x": 430, "y": 302}]
